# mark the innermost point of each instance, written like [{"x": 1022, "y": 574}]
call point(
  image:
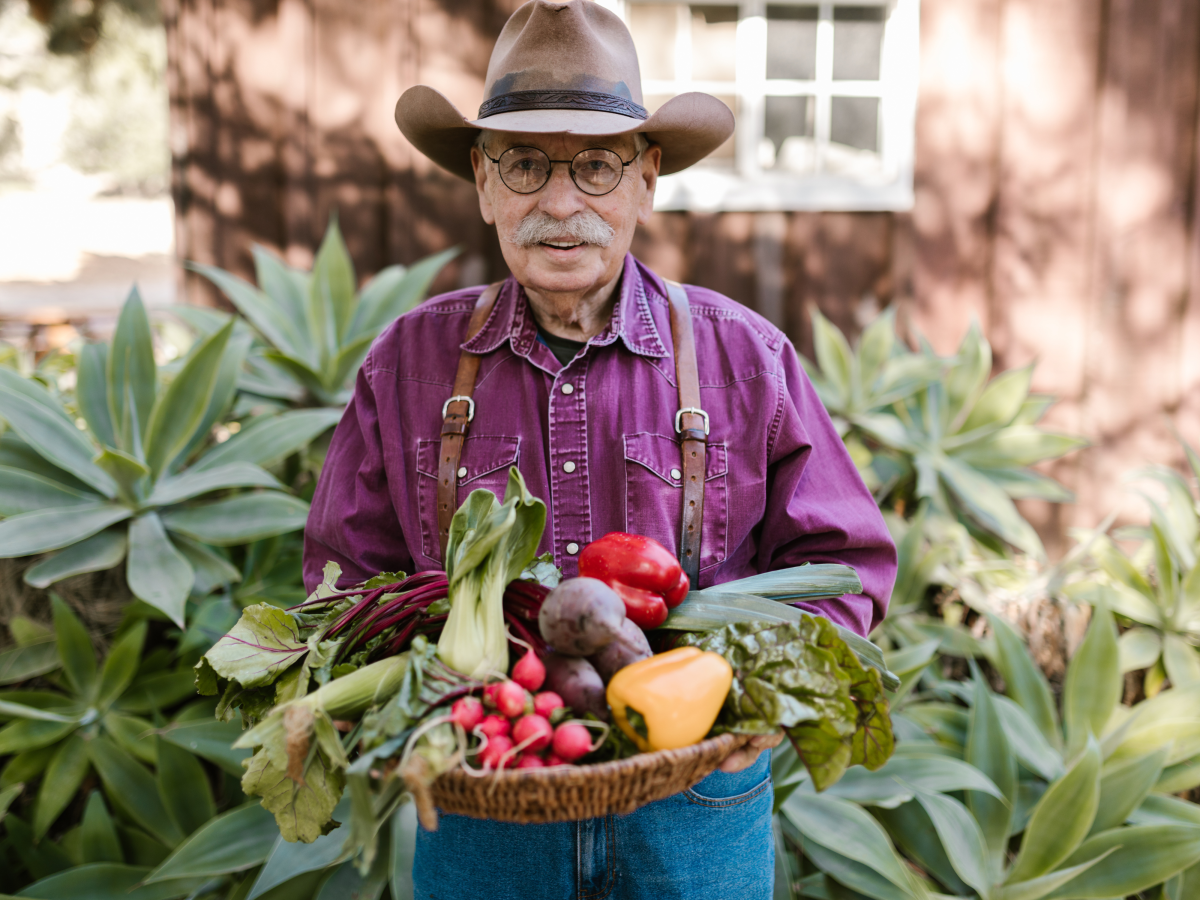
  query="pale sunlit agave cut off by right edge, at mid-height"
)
[{"x": 1157, "y": 587}]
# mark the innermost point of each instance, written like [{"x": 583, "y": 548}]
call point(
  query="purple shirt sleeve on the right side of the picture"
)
[{"x": 819, "y": 511}]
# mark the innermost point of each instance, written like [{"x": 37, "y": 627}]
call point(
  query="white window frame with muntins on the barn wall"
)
[{"x": 749, "y": 188}]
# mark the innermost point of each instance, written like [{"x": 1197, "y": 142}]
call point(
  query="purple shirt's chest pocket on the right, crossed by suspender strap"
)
[{"x": 655, "y": 495}]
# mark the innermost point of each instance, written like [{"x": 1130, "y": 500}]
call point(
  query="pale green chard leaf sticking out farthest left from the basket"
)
[{"x": 263, "y": 644}]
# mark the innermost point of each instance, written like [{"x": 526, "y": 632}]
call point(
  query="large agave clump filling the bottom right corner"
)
[{"x": 1084, "y": 805}]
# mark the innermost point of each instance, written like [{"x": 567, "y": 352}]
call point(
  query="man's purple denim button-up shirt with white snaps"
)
[{"x": 596, "y": 441}]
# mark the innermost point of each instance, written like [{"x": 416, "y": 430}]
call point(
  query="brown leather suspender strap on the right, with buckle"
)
[{"x": 692, "y": 425}]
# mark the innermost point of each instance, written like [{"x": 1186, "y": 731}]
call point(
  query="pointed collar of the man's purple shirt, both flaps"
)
[{"x": 512, "y": 320}]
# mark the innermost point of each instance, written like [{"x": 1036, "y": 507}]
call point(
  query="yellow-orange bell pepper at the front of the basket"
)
[{"x": 670, "y": 700}]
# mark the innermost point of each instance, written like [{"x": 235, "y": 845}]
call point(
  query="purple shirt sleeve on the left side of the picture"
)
[{"x": 352, "y": 520}]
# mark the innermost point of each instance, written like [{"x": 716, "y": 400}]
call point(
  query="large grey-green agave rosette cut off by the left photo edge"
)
[{"x": 121, "y": 478}]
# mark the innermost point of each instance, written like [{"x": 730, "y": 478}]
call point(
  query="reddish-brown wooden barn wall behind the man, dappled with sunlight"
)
[{"x": 1057, "y": 193}]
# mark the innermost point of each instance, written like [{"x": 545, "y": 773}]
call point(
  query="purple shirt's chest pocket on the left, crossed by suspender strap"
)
[{"x": 484, "y": 464}]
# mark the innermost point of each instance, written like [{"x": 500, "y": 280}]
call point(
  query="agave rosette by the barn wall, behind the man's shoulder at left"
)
[{"x": 317, "y": 327}]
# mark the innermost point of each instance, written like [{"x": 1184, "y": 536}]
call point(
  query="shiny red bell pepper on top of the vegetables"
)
[{"x": 641, "y": 571}]
